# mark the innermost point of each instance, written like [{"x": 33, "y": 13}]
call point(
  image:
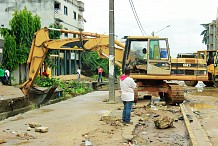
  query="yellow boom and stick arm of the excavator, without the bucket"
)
[{"x": 41, "y": 43}]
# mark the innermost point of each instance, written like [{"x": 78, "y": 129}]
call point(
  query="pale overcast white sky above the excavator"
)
[{"x": 183, "y": 16}]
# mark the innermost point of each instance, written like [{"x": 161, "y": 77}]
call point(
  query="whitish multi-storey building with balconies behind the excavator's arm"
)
[{"x": 69, "y": 13}]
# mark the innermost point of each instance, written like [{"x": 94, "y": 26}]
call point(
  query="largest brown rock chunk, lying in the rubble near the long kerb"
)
[{"x": 164, "y": 122}]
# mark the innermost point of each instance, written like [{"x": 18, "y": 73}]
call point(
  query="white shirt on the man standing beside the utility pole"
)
[{"x": 127, "y": 89}]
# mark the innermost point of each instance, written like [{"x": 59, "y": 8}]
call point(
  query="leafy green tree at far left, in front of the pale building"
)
[{"x": 23, "y": 25}]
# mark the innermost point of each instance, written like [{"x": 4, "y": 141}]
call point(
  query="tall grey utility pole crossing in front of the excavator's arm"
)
[{"x": 111, "y": 52}]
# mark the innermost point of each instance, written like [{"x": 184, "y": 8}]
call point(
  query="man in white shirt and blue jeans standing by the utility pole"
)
[{"x": 127, "y": 85}]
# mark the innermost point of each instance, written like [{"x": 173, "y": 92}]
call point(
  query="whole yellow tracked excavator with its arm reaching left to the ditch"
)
[{"x": 147, "y": 56}]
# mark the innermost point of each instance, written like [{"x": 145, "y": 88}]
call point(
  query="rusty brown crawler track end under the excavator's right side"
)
[{"x": 175, "y": 94}]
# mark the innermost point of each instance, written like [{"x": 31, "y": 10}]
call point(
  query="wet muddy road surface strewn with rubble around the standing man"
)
[{"x": 89, "y": 120}]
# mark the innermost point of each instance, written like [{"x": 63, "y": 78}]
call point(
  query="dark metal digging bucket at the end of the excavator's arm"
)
[{"x": 39, "y": 96}]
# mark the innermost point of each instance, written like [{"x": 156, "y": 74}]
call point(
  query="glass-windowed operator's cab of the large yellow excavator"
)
[{"x": 154, "y": 61}]
